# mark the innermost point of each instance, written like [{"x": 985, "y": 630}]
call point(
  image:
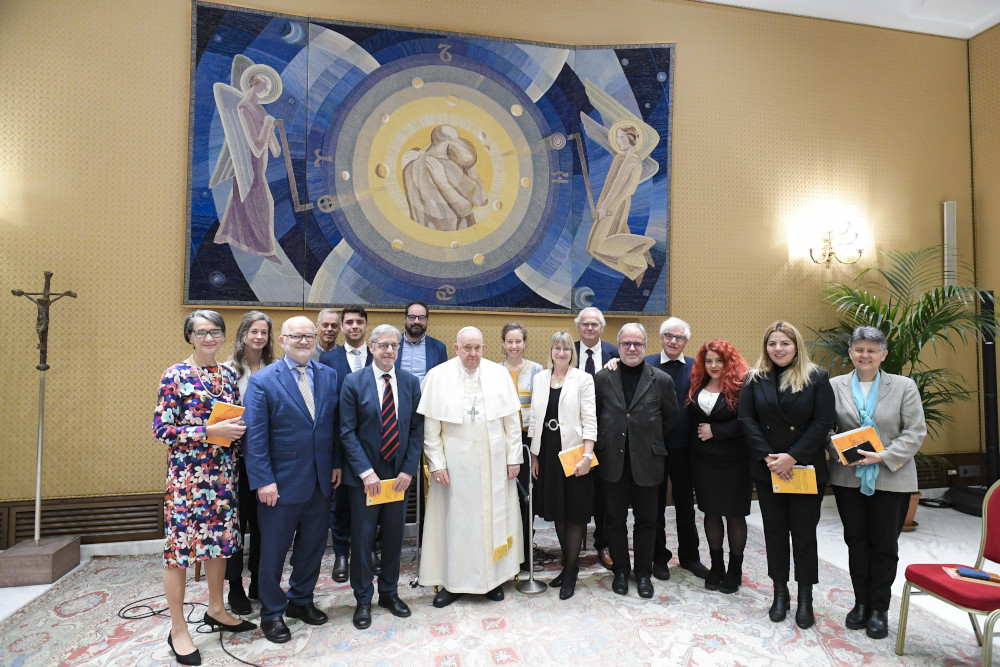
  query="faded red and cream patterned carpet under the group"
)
[{"x": 77, "y": 623}]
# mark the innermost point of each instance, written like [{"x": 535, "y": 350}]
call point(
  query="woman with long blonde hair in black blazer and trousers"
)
[{"x": 786, "y": 410}]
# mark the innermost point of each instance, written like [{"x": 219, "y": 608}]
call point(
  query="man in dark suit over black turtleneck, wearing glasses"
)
[{"x": 636, "y": 408}]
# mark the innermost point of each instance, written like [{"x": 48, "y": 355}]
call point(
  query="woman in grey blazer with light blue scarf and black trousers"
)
[{"x": 874, "y": 493}]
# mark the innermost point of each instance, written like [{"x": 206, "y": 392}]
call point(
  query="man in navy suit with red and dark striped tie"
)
[{"x": 382, "y": 437}]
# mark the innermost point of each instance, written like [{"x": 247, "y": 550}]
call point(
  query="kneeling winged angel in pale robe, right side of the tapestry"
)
[{"x": 625, "y": 135}]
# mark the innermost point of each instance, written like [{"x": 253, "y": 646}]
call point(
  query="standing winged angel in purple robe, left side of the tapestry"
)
[{"x": 248, "y": 221}]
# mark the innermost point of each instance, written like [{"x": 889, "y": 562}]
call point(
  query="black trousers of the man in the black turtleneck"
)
[{"x": 618, "y": 496}]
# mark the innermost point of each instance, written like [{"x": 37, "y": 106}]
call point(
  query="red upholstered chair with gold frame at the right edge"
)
[{"x": 973, "y": 596}]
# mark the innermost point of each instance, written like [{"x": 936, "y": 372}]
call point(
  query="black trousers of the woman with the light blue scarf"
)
[{"x": 871, "y": 530}]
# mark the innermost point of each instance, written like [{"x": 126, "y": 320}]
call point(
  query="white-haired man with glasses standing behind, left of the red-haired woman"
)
[{"x": 674, "y": 335}]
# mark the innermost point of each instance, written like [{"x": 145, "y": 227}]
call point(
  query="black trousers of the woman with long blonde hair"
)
[{"x": 794, "y": 514}]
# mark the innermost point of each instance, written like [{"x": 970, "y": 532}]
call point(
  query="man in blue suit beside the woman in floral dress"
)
[{"x": 294, "y": 464}]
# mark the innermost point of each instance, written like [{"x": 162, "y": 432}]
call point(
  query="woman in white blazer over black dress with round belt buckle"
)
[{"x": 563, "y": 416}]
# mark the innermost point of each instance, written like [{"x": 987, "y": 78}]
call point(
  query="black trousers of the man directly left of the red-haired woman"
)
[{"x": 678, "y": 475}]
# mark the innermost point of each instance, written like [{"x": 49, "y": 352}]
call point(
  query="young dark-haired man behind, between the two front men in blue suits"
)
[{"x": 345, "y": 360}]
